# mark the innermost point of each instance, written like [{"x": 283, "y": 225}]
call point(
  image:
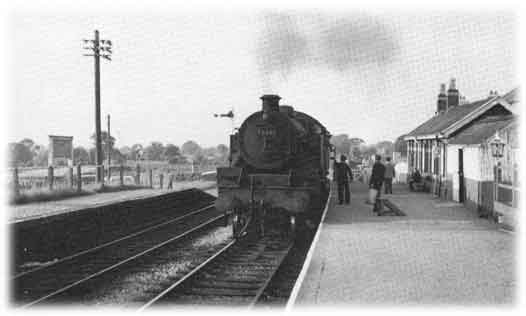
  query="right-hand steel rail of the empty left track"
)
[{"x": 120, "y": 263}]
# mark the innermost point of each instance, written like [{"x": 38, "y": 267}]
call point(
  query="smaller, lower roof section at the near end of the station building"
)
[{"x": 481, "y": 130}]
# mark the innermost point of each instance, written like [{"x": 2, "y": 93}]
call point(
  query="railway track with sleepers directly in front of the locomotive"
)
[{"x": 236, "y": 275}]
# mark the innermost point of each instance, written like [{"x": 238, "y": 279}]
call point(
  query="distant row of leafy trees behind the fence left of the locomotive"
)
[{"x": 27, "y": 153}]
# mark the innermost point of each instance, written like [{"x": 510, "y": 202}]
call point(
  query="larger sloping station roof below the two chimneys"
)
[{"x": 439, "y": 122}]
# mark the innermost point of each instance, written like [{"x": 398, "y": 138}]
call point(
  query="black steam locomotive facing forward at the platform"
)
[{"x": 277, "y": 179}]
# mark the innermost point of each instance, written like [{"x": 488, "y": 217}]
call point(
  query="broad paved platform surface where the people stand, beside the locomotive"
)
[{"x": 440, "y": 253}]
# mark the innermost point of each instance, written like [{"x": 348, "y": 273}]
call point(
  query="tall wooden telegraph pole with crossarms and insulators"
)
[{"x": 100, "y": 48}]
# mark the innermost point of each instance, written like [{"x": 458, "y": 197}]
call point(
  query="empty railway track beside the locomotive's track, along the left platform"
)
[{"x": 46, "y": 283}]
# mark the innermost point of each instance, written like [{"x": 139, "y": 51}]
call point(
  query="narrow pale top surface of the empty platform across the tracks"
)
[{"x": 39, "y": 209}]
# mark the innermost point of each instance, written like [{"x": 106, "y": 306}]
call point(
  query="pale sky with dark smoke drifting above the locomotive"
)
[{"x": 373, "y": 75}]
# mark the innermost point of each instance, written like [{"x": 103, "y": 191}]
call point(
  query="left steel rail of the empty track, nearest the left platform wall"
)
[{"x": 78, "y": 254}]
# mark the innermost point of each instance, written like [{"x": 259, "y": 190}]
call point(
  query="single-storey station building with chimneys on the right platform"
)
[{"x": 455, "y": 151}]
